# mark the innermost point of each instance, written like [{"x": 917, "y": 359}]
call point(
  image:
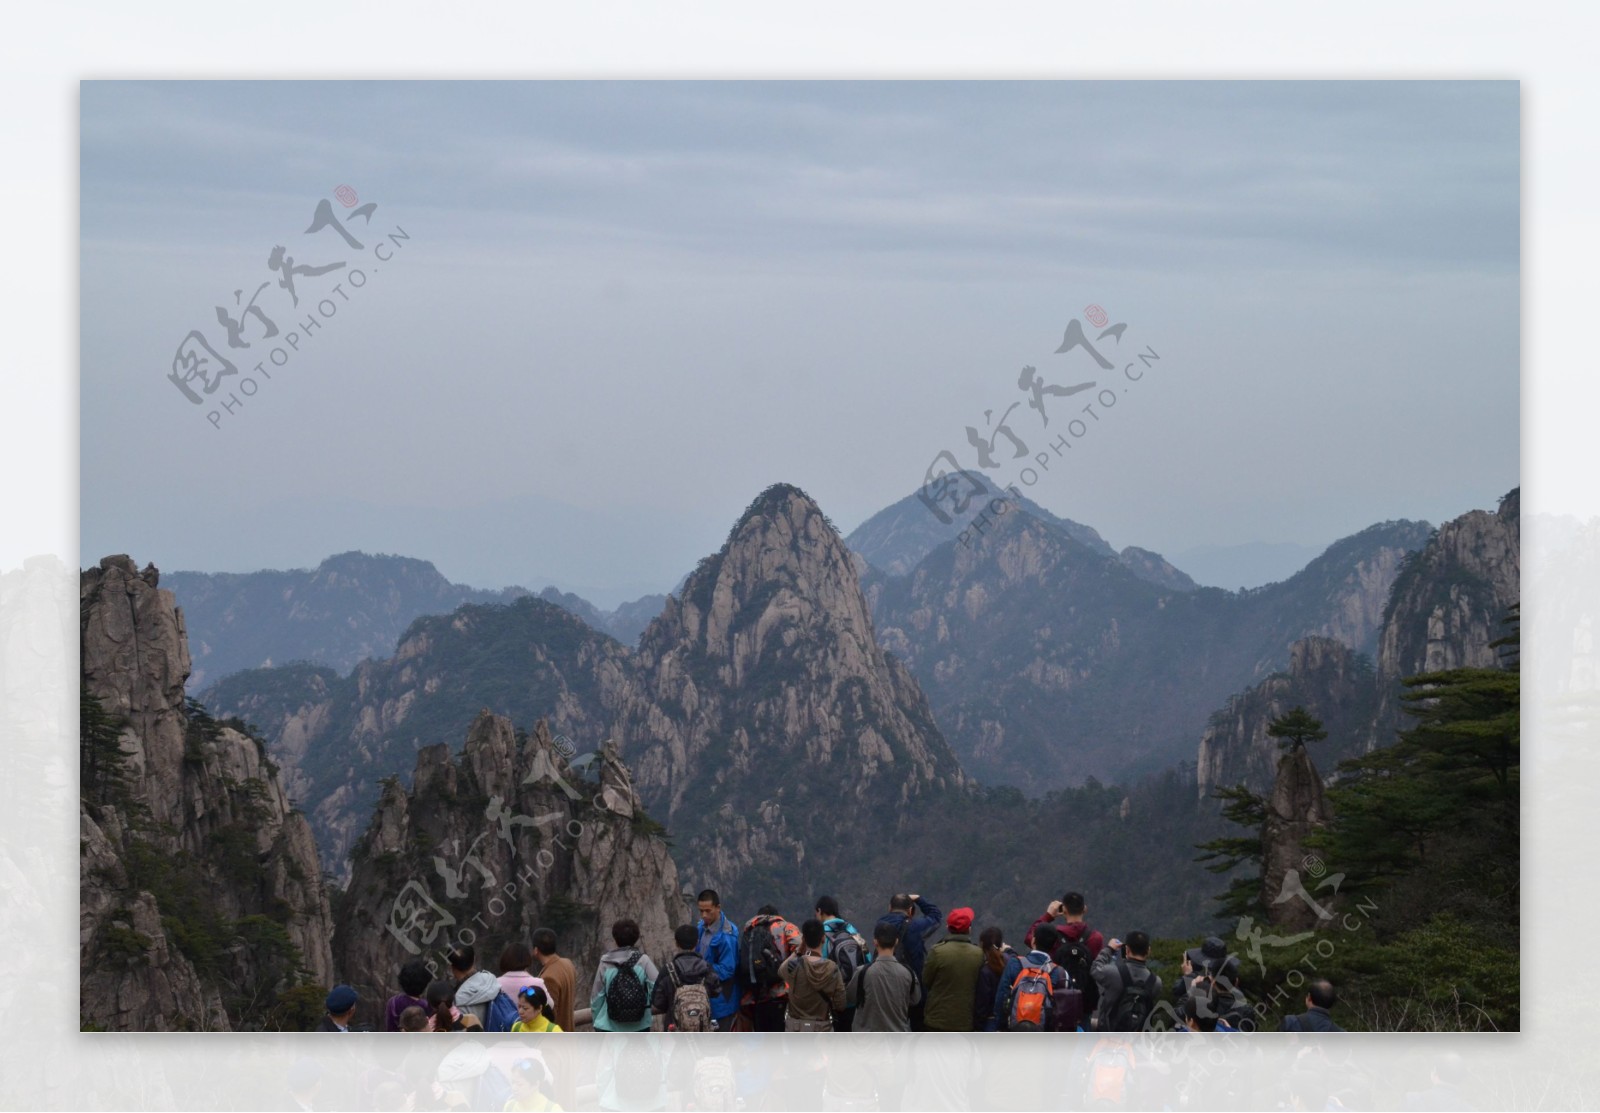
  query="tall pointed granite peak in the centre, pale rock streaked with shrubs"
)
[{"x": 769, "y": 724}]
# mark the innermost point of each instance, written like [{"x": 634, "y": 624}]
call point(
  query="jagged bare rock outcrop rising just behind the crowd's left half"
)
[{"x": 494, "y": 844}]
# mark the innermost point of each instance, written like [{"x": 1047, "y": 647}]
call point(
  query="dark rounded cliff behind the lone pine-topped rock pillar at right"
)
[{"x": 1327, "y": 679}]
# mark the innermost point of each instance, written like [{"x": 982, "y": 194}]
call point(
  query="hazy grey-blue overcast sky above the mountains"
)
[{"x": 626, "y": 308}]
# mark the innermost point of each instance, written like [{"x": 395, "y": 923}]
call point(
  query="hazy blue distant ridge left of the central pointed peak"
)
[{"x": 350, "y": 608}]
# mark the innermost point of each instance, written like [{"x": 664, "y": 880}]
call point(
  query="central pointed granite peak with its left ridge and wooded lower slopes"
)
[{"x": 761, "y": 722}]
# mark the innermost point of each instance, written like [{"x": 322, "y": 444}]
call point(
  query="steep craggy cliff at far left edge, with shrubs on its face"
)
[{"x": 201, "y": 887}]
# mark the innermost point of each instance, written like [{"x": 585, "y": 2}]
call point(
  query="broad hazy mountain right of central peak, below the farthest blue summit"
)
[{"x": 1047, "y": 661}]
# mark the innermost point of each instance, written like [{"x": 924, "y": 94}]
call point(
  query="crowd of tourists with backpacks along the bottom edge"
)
[{"x": 825, "y": 975}]
